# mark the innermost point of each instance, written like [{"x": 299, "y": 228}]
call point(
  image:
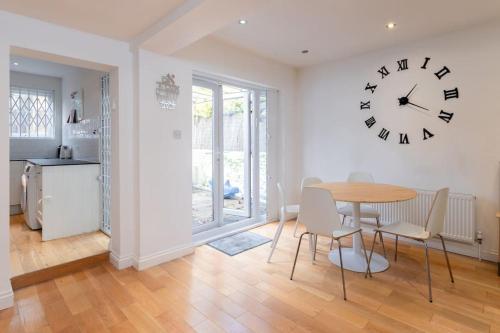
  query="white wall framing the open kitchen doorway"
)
[{"x": 86, "y": 50}]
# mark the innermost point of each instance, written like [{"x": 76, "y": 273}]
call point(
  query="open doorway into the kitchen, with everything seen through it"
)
[{"x": 60, "y": 162}]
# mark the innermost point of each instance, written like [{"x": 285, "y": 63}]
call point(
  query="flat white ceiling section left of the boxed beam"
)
[{"x": 120, "y": 19}]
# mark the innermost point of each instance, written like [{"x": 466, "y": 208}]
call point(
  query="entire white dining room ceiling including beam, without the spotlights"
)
[{"x": 276, "y": 29}]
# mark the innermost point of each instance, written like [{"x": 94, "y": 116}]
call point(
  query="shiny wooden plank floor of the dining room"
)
[{"x": 211, "y": 292}]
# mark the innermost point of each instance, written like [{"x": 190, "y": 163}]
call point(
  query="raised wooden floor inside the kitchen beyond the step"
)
[{"x": 28, "y": 253}]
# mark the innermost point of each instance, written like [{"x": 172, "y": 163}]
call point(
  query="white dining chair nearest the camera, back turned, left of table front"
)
[{"x": 318, "y": 213}]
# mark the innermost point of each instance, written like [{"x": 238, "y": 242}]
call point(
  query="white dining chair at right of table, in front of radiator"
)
[{"x": 433, "y": 227}]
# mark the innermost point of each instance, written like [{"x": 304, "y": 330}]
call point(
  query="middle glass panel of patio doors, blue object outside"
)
[{"x": 236, "y": 153}]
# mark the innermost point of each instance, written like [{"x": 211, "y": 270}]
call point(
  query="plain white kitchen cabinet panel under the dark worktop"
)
[{"x": 68, "y": 200}]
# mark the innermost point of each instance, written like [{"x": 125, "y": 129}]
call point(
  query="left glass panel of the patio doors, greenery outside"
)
[{"x": 204, "y": 185}]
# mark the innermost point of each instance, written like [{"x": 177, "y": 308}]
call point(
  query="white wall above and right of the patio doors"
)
[{"x": 213, "y": 56}]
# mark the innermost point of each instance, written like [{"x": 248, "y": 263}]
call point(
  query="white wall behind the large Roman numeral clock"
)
[{"x": 463, "y": 155}]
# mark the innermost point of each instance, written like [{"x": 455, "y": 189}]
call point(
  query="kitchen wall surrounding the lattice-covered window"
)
[{"x": 22, "y": 148}]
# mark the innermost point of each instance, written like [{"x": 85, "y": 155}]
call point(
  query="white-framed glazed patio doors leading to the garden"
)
[{"x": 229, "y": 141}]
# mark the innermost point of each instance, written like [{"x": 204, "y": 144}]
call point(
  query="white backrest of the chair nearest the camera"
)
[{"x": 318, "y": 211}]
